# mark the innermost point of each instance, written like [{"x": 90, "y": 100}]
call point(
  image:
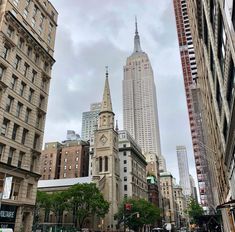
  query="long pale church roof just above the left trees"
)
[{"x": 63, "y": 182}]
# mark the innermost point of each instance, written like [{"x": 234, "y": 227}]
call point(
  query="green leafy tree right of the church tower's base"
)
[{"x": 146, "y": 211}]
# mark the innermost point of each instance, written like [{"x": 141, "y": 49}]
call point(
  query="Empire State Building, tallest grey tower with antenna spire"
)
[{"x": 139, "y": 100}]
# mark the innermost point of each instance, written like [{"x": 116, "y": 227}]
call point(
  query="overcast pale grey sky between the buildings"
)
[{"x": 92, "y": 34}]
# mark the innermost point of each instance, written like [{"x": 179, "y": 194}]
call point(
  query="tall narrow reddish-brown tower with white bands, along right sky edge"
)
[{"x": 193, "y": 97}]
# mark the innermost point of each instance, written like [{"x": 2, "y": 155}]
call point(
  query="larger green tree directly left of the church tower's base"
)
[{"x": 86, "y": 200}]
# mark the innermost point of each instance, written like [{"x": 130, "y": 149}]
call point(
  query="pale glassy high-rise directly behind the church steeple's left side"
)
[{"x": 90, "y": 120}]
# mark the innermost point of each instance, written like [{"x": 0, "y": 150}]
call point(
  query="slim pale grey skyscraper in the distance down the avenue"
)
[{"x": 183, "y": 170}]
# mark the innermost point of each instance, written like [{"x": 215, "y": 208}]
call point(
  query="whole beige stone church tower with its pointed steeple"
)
[{"x": 105, "y": 161}]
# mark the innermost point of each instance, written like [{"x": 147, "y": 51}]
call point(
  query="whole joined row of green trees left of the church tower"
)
[{"x": 83, "y": 200}]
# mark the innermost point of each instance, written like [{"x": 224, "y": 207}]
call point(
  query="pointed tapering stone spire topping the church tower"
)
[{"x": 106, "y": 105}]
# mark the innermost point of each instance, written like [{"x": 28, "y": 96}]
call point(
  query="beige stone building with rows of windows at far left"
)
[{"x": 27, "y": 41}]
